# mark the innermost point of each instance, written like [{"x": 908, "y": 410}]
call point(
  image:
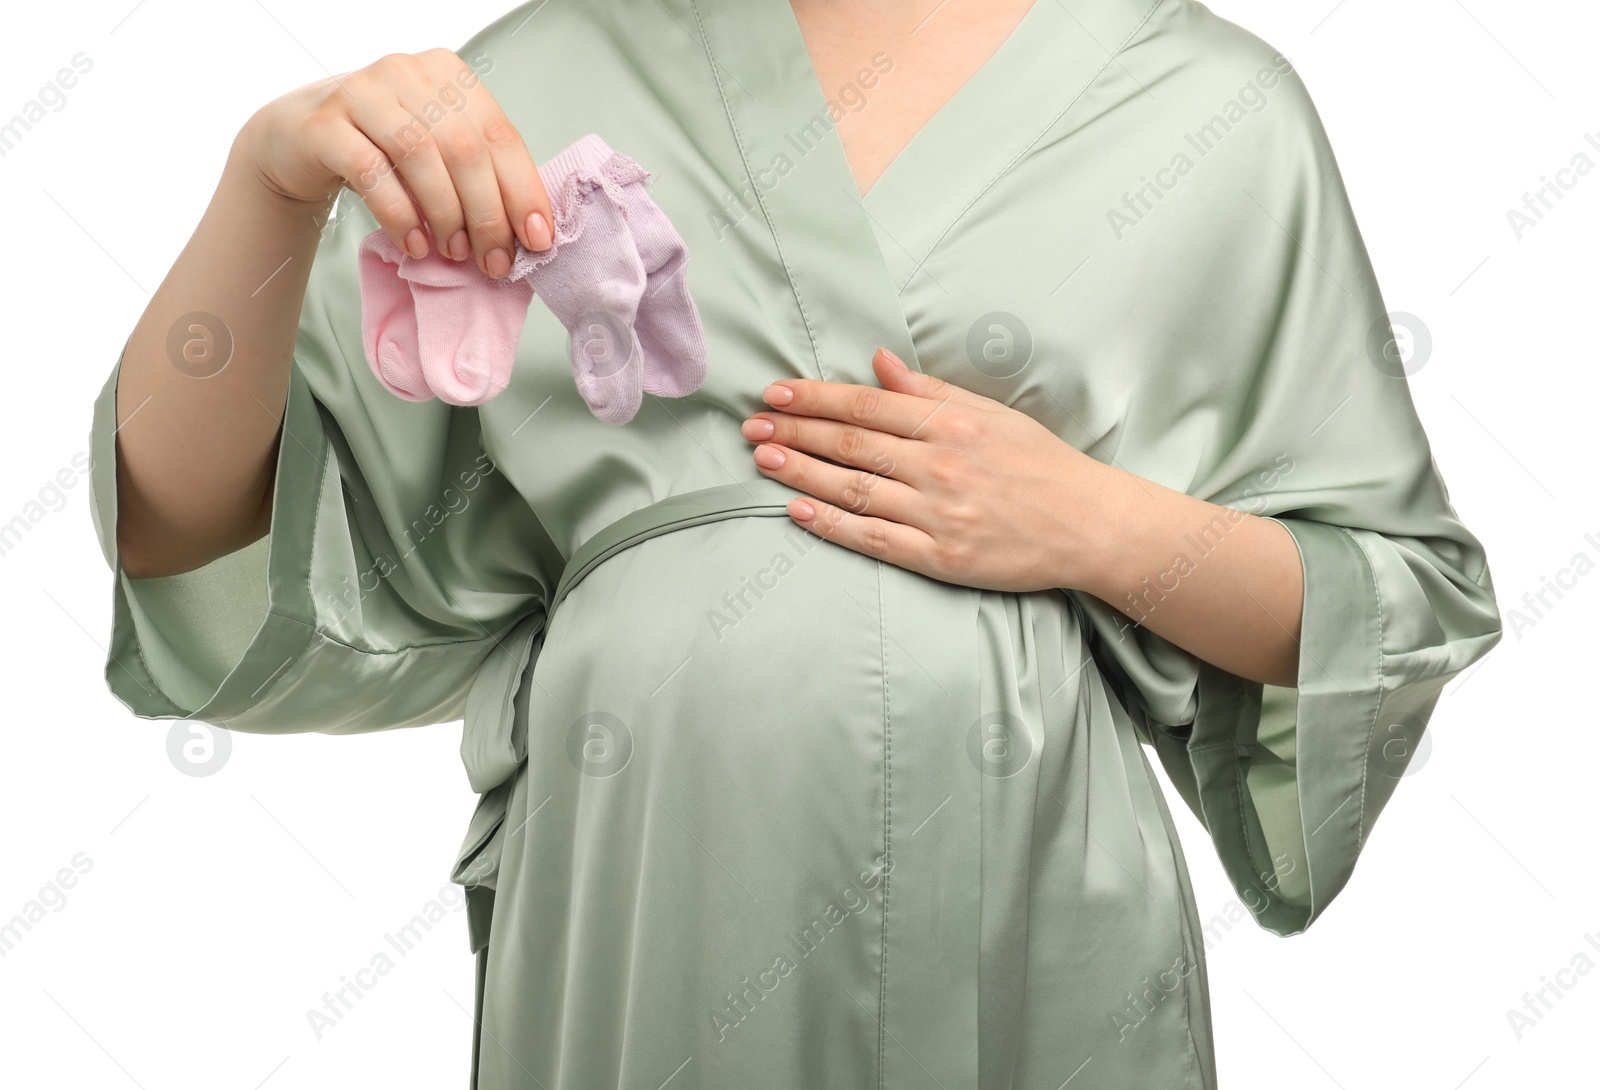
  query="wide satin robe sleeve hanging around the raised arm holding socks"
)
[{"x": 399, "y": 555}]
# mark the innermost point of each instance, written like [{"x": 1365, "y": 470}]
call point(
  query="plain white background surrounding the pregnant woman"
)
[{"x": 218, "y": 910}]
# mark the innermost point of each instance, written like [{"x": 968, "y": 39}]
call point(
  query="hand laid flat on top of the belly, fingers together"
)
[{"x": 937, "y": 479}]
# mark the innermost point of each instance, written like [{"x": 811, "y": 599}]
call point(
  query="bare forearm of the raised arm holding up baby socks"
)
[{"x": 204, "y": 380}]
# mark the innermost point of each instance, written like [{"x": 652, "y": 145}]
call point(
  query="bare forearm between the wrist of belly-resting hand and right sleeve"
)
[{"x": 1220, "y": 583}]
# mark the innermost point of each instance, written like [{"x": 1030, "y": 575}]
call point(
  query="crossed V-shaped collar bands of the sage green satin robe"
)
[{"x": 849, "y": 257}]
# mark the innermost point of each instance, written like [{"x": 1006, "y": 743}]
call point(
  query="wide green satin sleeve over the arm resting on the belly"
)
[{"x": 1324, "y": 439}]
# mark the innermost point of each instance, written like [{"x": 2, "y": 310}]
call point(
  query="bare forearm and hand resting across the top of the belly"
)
[{"x": 959, "y": 487}]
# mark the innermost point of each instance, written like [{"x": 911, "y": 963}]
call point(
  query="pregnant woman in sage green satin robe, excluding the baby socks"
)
[{"x": 1050, "y": 414}]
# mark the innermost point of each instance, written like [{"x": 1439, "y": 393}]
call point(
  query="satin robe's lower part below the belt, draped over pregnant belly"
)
[{"x": 778, "y": 803}]
